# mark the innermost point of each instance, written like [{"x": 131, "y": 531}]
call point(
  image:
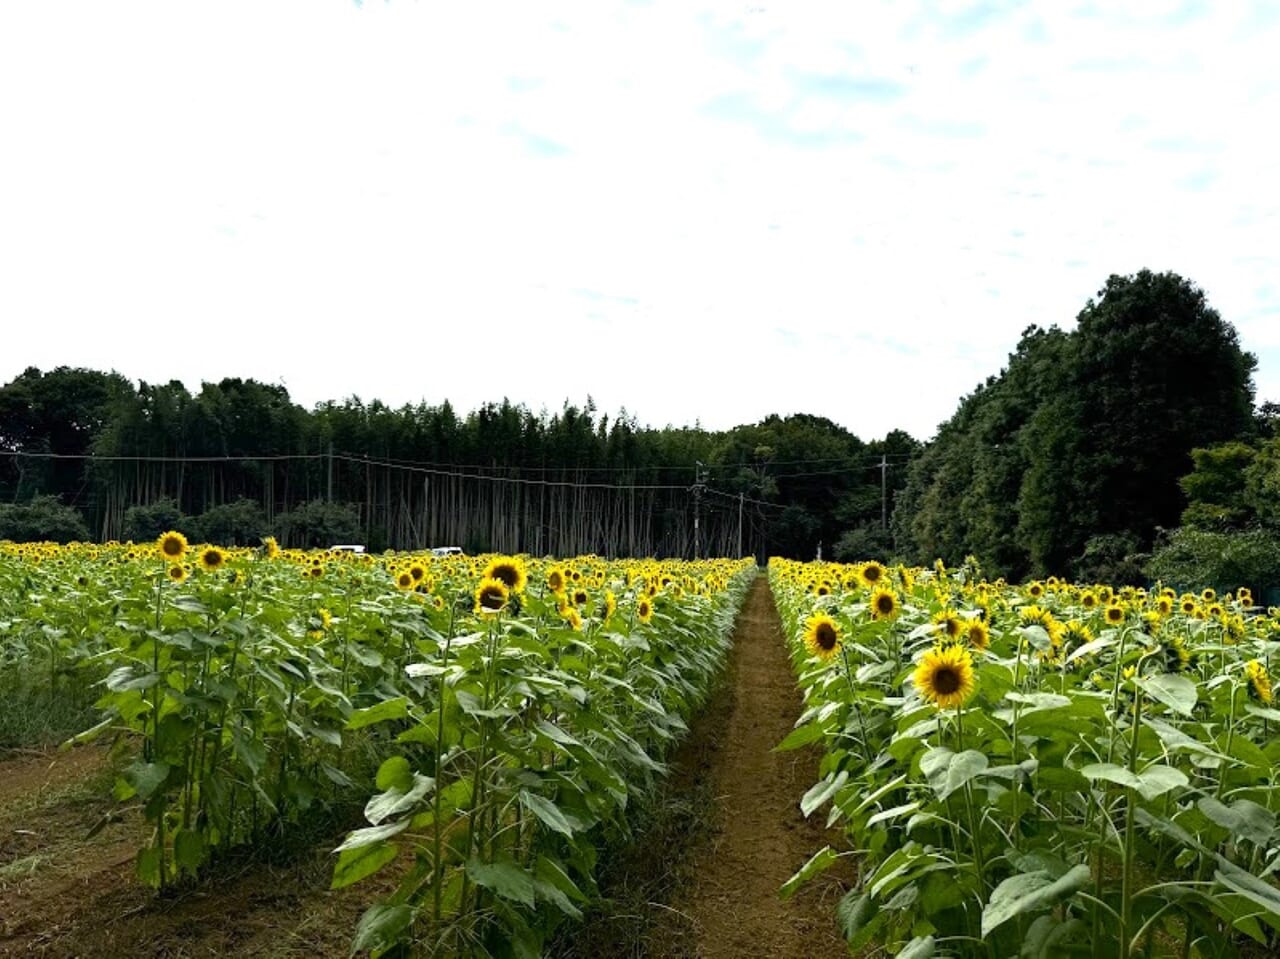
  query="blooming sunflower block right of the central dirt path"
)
[{"x": 1048, "y": 770}]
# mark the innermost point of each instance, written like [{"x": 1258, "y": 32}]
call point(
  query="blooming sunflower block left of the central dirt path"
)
[{"x": 493, "y": 715}]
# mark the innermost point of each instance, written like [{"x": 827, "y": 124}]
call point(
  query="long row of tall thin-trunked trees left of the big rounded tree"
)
[{"x": 86, "y": 454}]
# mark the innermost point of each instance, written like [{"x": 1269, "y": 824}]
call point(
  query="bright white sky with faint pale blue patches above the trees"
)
[{"x": 696, "y": 212}]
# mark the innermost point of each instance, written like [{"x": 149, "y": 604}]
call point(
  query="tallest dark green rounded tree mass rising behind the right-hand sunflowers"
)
[{"x": 1075, "y": 451}]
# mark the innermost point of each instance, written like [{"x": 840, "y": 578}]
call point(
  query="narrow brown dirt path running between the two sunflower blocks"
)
[{"x": 761, "y": 838}]
